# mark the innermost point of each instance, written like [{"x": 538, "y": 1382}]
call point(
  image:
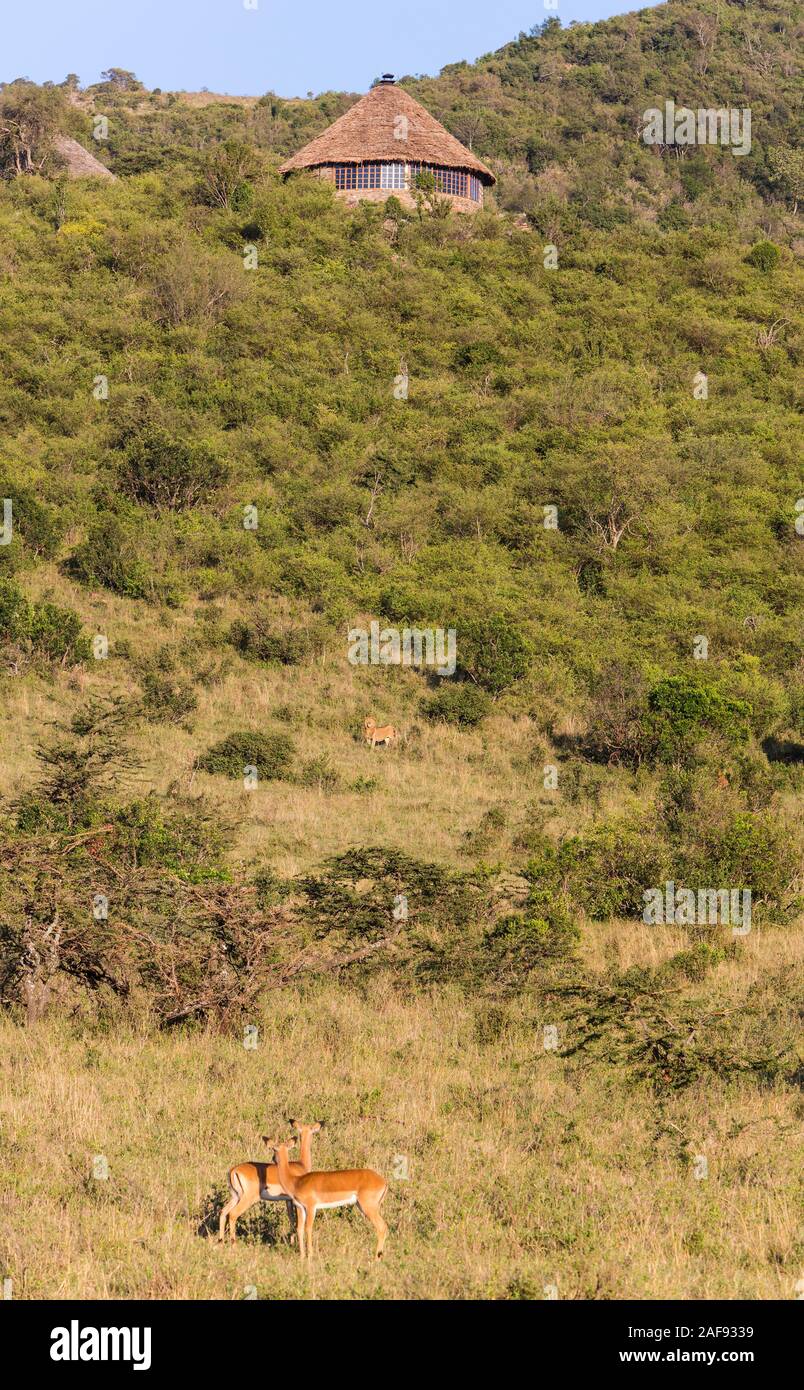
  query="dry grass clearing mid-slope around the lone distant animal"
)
[{"x": 432, "y": 790}]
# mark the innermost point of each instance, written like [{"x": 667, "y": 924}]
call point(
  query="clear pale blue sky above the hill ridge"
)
[{"x": 286, "y": 47}]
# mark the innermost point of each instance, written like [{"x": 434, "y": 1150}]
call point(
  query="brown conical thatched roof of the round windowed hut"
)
[{"x": 368, "y": 131}]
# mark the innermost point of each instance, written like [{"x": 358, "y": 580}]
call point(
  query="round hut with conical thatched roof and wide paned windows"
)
[{"x": 383, "y": 142}]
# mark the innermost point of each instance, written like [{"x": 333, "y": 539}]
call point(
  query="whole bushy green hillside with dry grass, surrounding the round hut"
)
[{"x": 593, "y": 479}]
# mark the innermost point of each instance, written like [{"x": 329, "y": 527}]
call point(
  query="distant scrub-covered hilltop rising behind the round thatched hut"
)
[{"x": 556, "y": 115}]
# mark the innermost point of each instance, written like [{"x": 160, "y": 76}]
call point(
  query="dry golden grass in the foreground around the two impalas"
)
[{"x": 525, "y": 1170}]
